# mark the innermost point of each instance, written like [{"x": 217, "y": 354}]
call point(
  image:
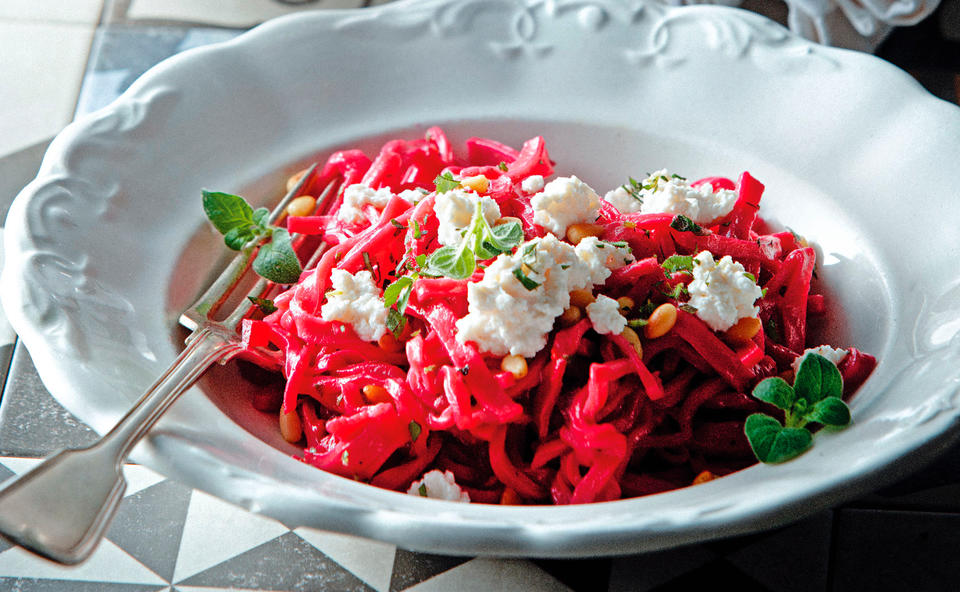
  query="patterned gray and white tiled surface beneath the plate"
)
[{"x": 169, "y": 537}]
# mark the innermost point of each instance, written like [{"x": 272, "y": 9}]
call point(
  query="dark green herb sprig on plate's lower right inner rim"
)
[{"x": 813, "y": 398}]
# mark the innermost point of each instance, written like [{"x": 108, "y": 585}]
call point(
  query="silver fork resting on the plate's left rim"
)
[{"x": 63, "y": 507}]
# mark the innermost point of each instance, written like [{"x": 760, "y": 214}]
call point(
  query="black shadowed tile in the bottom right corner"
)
[{"x": 884, "y": 550}]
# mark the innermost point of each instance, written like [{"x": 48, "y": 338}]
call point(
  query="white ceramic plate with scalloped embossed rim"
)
[{"x": 109, "y": 242}]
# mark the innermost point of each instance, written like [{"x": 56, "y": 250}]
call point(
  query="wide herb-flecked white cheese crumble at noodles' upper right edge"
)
[{"x": 674, "y": 195}]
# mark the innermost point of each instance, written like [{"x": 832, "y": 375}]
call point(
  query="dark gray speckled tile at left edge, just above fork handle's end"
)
[{"x": 32, "y": 423}]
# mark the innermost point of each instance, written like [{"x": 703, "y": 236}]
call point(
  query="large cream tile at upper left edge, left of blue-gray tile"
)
[{"x": 41, "y": 66}]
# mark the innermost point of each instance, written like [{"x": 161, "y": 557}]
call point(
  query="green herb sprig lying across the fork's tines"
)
[{"x": 244, "y": 228}]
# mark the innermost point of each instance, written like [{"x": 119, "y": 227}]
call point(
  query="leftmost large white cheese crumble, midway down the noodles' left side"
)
[{"x": 355, "y": 300}]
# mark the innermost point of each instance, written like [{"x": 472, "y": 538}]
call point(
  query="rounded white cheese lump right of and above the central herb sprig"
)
[{"x": 564, "y": 201}]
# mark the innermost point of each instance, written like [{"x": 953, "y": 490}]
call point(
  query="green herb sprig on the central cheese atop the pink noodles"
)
[{"x": 480, "y": 242}]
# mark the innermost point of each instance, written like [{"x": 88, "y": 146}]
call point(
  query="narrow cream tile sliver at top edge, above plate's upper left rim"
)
[{"x": 227, "y": 13}]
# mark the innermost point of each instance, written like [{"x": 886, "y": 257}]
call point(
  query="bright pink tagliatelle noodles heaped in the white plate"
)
[{"x": 592, "y": 419}]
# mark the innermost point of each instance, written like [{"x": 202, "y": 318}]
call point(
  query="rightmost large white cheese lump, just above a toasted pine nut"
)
[{"x": 722, "y": 291}]
